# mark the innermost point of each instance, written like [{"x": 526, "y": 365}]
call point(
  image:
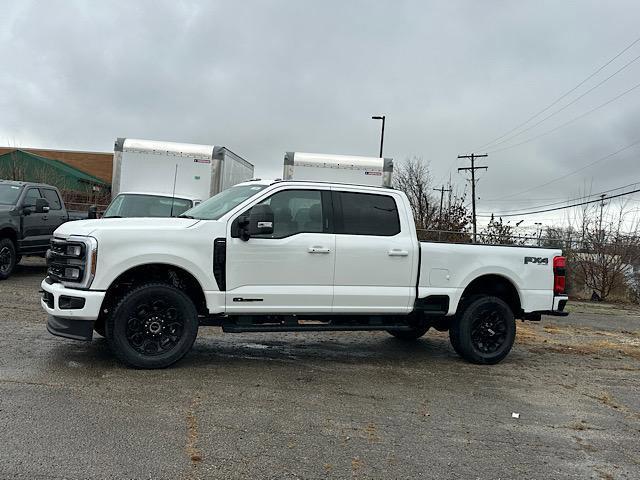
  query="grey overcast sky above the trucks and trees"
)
[{"x": 265, "y": 77}]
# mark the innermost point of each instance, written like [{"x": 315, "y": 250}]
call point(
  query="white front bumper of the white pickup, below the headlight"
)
[{"x": 87, "y": 303}]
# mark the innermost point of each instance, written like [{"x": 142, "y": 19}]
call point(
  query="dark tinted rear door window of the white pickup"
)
[{"x": 367, "y": 214}]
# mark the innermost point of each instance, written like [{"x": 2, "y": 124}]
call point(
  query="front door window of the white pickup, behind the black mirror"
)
[{"x": 295, "y": 211}]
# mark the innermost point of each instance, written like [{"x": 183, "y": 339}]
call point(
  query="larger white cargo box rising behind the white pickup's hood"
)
[{"x": 182, "y": 170}]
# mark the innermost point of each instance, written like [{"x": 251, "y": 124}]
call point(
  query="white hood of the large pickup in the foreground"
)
[{"x": 149, "y": 225}]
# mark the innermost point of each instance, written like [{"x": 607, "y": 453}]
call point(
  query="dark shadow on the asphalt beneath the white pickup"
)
[{"x": 247, "y": 350}]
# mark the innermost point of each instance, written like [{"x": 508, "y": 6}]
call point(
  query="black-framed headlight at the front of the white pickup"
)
[{"x": 72, "y": 262}]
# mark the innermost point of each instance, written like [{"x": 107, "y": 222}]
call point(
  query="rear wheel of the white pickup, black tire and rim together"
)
[{"x": 484, "y": 331}]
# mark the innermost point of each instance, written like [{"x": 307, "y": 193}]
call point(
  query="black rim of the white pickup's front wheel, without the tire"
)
[{"x": 154, "y": 327}]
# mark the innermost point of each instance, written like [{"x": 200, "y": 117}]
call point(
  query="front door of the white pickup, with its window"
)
[{"x": 291, "y": 270}]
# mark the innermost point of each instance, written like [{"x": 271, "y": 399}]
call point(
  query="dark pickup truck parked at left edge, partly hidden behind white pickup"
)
[{"x": 29, "y": 214}]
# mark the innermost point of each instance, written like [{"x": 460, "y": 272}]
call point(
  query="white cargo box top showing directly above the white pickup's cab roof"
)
[{"x": 320, "y": 167}]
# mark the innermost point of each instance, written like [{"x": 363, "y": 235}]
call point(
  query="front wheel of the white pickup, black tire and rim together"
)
[{"x": 152, "y": 326}]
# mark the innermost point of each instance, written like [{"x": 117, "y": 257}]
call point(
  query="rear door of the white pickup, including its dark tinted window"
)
[{"x": 374, "y": 253}]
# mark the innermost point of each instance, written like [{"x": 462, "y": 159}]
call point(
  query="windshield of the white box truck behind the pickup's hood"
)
[{"x": 128, "y": 205}]
